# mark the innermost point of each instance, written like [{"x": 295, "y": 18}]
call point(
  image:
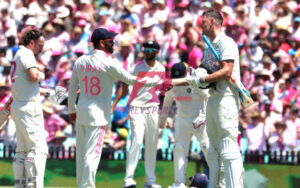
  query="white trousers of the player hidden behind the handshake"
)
[{"x": 184, "y": 130}]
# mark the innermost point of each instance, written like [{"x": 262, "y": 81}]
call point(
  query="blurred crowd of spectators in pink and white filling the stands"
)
[{"x": 267, "y": 33}]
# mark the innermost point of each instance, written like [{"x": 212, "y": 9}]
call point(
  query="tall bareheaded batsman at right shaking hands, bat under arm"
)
[{"x": 223, "y": 106}]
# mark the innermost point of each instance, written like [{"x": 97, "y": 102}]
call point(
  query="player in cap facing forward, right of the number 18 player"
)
[{"x": 144, "y": 115}]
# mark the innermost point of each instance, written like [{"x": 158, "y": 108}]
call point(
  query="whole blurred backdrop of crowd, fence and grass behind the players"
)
[{"x": 267, "y": 33}]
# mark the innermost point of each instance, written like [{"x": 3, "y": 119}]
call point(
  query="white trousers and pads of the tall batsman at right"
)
[{"x": 222, "y": 129}]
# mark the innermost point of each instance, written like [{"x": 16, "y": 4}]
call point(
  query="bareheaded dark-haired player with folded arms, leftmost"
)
[{"x": 26, "y": 111}]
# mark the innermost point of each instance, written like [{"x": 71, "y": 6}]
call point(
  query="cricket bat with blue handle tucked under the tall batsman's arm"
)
[{"x": 243, "y": 94}]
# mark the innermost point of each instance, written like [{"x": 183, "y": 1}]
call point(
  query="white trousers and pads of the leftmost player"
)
[{"x": 31, "y": 152}]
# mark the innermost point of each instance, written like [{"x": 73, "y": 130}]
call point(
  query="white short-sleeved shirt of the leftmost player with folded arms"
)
[{"x": 23, "y": 88}]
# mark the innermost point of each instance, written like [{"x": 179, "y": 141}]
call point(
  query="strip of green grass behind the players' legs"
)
[{"x": 111, "y": 173}]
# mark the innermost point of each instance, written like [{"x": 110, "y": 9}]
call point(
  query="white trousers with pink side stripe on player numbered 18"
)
[{"x": 89, "y": 142}]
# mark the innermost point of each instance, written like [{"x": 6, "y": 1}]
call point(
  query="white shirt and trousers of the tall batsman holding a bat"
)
[{"x": 222, "y": 118}]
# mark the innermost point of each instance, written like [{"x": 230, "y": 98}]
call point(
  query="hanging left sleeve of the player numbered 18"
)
[{"x": 73, "y": 91}]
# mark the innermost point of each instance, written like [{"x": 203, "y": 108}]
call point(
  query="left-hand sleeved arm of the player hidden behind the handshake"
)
[{"x": 168, "y": 101}]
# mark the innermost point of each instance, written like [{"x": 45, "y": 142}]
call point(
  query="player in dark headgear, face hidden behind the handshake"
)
[{"x": 190, "y": 120}]
